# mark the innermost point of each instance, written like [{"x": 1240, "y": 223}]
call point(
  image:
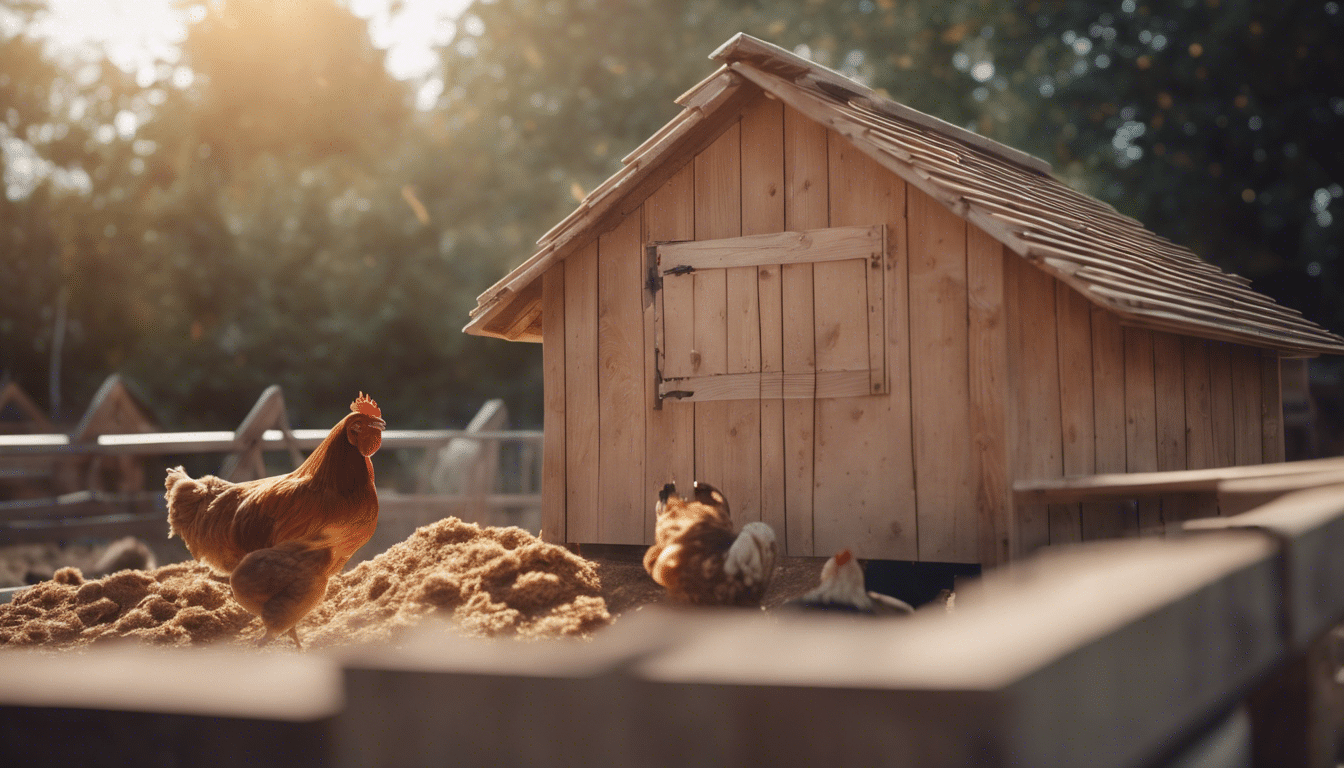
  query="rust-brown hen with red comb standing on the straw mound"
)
[{"x": 282, "y": 539}]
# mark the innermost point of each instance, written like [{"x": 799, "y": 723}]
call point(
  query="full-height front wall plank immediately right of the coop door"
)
[{"x": 946, "y": 484}]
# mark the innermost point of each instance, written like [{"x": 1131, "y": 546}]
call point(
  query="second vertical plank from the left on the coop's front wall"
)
[{"x": 581, "y": 396}]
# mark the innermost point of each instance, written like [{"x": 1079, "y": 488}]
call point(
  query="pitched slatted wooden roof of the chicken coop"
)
[{"x": 1108, "y": 258}]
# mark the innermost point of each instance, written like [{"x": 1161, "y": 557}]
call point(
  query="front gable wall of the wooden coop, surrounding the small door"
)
[{"x": 916, "y": 474}]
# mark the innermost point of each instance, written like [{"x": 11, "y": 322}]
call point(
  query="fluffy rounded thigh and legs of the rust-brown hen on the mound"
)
[{"x": 282, "y": 584}]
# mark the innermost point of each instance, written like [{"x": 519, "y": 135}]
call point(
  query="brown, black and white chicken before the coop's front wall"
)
[{"x": 700, "y": 560}]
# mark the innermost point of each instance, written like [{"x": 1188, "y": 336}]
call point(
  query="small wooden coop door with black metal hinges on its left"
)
[{"x": 786, "y": 315}]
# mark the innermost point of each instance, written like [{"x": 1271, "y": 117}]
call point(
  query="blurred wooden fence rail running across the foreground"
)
[{"x": 1189, "y": 650}]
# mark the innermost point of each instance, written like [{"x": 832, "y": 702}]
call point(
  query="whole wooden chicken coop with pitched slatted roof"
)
[{"x": 865, "y": 325}]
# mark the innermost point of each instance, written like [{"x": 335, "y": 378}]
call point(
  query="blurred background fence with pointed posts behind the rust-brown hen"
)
[{"x": 101, "y": 486}]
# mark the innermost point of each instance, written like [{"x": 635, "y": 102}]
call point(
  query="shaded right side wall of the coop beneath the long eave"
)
[{"x": 1089, "y": 396}]
